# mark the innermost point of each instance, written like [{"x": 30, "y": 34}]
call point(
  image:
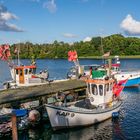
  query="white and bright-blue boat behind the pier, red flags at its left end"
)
[{"x": 80, "y": 71}]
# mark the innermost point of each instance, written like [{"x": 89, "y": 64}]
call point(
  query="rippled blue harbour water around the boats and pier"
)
[{"x": 127, "y": 127}]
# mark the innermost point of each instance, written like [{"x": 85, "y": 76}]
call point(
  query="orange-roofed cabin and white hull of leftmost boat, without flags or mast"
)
[{"x": 25, "y": 76}]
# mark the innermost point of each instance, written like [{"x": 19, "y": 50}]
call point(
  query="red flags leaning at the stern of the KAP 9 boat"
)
[{"x": 118, "y": 87}]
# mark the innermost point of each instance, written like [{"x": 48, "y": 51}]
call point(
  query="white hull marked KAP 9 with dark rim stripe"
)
[{"x": 63, "y": 117}]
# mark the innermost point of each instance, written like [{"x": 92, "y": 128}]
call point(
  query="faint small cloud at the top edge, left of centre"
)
[{"x": 50, "y": 5}]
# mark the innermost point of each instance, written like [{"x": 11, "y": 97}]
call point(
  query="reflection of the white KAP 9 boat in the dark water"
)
[{"x": 101, "y": 131}]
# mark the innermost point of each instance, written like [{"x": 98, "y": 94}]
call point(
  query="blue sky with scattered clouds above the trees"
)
[{"x": 44, "y": 21}]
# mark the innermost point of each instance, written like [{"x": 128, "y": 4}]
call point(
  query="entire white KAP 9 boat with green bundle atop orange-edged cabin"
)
[{"x": 103, "y": 100}]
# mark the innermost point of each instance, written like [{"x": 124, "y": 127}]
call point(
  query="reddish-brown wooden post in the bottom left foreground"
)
[{"x": 14, "y": 127}]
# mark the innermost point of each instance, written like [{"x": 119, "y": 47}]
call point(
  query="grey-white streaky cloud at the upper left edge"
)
[{"x": 5, "y": 16}]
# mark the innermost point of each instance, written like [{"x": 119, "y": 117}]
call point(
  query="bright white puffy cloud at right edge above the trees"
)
[{"x": 130, "y": 26}]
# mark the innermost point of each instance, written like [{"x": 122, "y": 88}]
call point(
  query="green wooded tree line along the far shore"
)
[{"x": 117, "y": 44}]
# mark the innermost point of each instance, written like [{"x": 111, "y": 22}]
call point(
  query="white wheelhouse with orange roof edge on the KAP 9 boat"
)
[{"x": 100, "y": 91}]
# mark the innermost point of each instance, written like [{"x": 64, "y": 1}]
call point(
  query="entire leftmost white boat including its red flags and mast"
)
[{"x": 22, "y": 75}]
